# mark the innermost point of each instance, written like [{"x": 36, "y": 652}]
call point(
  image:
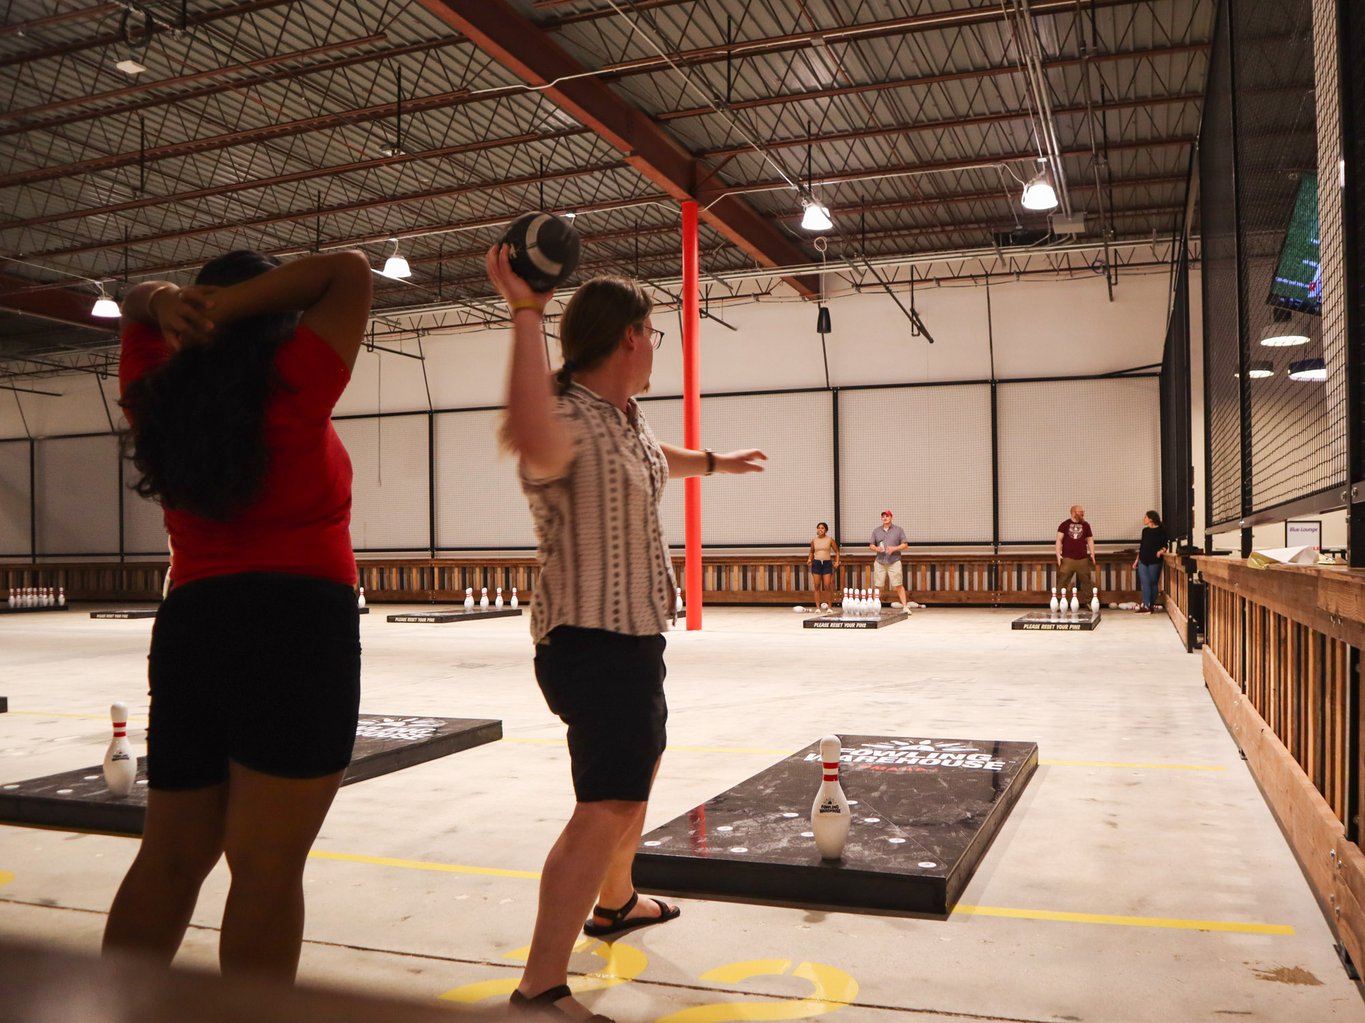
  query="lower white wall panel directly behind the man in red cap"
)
[{"x": 925, "y": 453}]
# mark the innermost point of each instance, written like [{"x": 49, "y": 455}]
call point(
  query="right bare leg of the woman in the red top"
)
[{"x": 272, "y": 823}]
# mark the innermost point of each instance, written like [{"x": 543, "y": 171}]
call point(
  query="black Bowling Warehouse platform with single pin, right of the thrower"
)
[{"x": 926, "y": 813}]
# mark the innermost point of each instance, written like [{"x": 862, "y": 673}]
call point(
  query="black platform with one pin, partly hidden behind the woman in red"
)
[{"x": 80, "y": 801}]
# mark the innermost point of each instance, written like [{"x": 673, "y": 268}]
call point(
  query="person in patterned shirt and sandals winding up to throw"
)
[{"x": 594, "y": 475}]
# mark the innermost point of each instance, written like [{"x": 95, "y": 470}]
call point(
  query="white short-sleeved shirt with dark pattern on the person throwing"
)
[{"x": 604, "y": 563}]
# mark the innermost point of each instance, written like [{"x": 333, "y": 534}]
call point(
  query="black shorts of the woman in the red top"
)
[{"x": 259, "y": 669}]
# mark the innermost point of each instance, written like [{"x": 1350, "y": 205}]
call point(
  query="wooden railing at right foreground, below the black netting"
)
[{"x": 1280, "y": 660}]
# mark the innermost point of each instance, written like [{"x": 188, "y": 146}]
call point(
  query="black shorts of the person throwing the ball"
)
[{"x": 608, "y": 689}]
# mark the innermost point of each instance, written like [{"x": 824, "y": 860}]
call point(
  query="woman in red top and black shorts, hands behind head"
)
[{"x": 256, "y": 655}]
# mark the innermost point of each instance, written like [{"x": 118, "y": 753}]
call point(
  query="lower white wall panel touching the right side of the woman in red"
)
[{"x": 390, "y": 494}]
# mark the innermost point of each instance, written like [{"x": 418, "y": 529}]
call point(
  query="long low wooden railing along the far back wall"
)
[{"x": 727, "y": 578}]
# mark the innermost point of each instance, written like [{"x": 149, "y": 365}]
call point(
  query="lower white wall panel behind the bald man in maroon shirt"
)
[{"x": 1094, "y": 443}]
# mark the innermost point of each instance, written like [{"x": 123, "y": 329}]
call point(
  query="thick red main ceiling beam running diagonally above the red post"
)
[{"x": 525, "y": 50}]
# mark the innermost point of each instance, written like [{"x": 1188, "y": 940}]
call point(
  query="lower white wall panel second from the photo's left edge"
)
[{"x": 78, "y": 495}]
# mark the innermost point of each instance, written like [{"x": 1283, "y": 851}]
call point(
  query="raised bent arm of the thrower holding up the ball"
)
[{"x": 544, "y": 449}]
